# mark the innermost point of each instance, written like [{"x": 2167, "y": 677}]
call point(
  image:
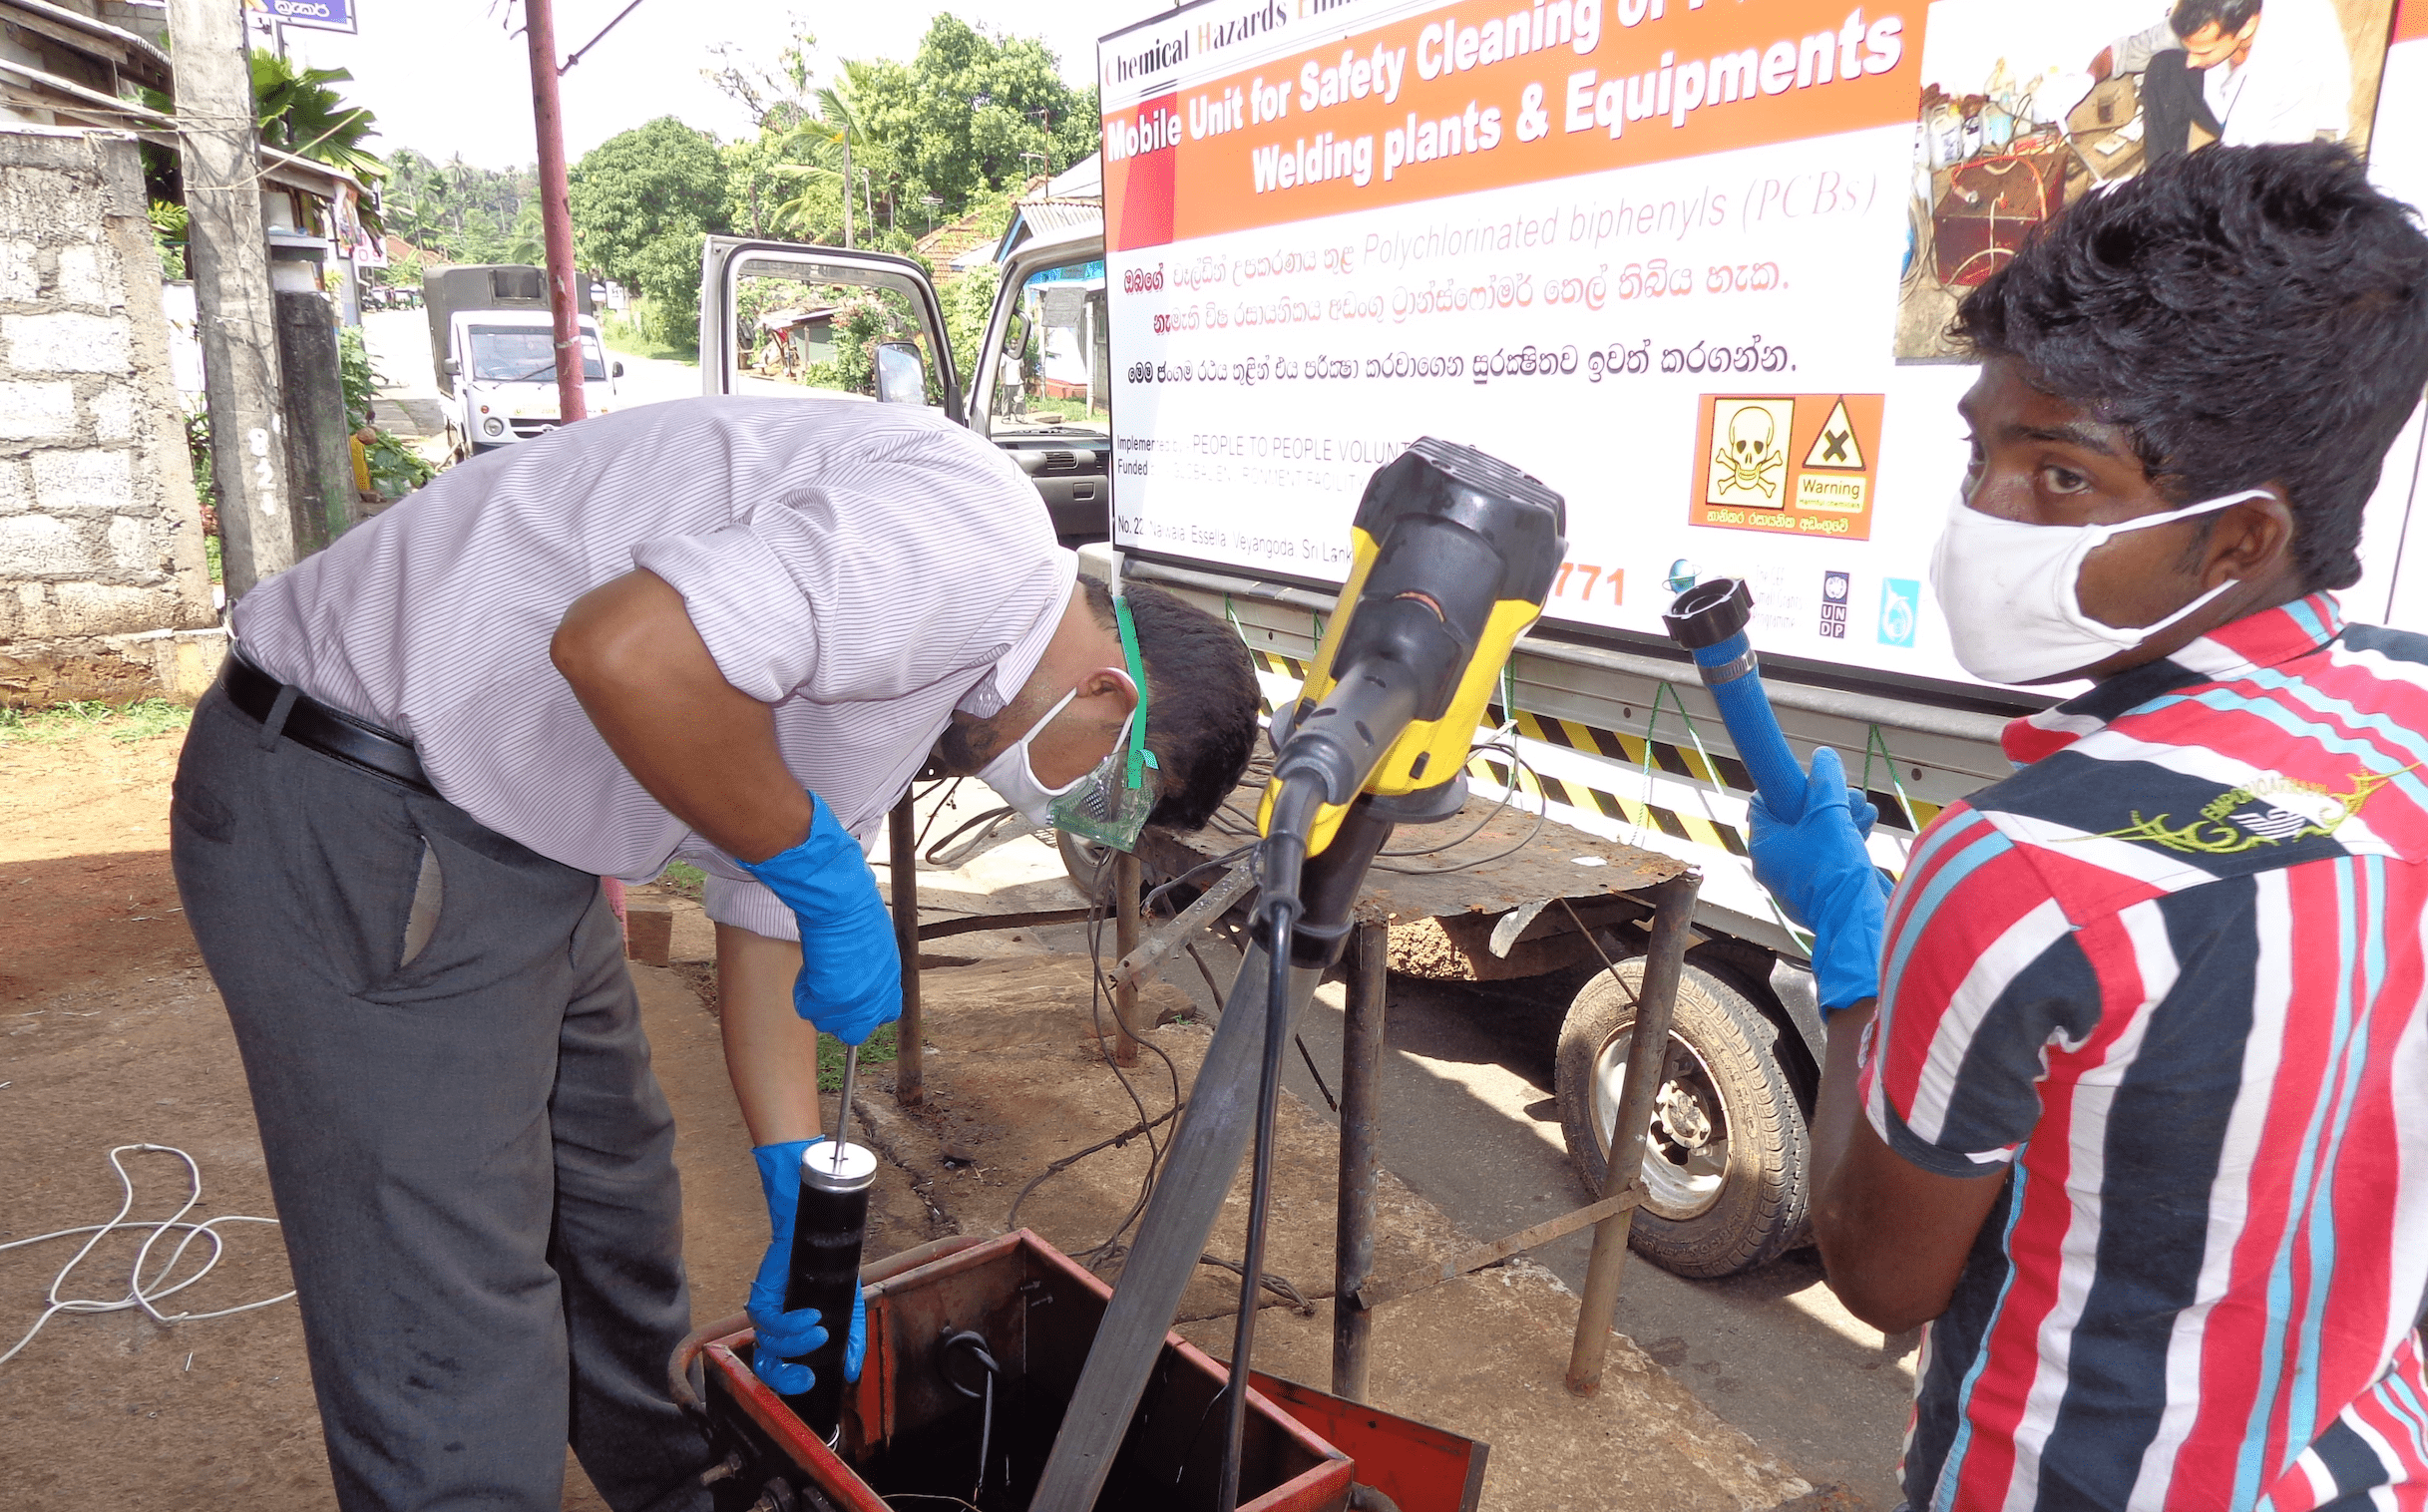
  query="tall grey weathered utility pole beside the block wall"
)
[{"x": 232, "y": 290}]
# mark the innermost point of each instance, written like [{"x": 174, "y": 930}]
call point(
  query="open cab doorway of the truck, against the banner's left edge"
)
[{"x": 1043, "y": 385}]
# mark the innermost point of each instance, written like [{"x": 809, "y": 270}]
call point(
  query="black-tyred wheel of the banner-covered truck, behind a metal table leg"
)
[{"x": 1728, "y": 1161}]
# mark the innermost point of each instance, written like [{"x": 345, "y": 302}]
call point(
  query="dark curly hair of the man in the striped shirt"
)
[{"x": 2247, "y": 314}]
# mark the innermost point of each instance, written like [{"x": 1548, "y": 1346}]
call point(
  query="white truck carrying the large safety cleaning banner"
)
[{"x": 1686, "y": 263}]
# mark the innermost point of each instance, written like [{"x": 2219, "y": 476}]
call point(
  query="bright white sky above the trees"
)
[{"x": 446, "y": 76}]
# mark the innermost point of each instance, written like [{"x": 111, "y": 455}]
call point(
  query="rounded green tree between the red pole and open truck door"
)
[{"x": 642, "y": 203}]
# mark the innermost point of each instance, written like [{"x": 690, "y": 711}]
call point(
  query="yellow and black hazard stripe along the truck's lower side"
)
[{"x": 1635, "y": 751}]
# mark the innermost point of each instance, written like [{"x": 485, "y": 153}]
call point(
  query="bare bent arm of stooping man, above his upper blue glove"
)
[{"x": 686, "y": 734}]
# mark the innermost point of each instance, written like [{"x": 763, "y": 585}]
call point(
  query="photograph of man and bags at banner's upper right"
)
[{"x": 2026, "y": 110}]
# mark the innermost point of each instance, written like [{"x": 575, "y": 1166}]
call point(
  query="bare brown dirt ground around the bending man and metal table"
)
[{"x": 110, "y": 1035}]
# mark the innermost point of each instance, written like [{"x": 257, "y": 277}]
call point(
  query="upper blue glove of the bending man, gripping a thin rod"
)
[{"x": 851, "y": 970}]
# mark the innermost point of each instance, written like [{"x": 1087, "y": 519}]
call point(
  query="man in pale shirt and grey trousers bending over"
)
[{"x": 717, "y": 630}]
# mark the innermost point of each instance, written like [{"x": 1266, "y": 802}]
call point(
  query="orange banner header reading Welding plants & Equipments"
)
[{"x": 1492, "y": 93}]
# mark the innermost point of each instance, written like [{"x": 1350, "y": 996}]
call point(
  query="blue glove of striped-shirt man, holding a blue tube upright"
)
[{"x": 1827, "y": 882}]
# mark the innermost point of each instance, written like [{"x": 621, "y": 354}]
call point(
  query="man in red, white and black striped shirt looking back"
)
[{"x": 2140, "y": 1118}]
